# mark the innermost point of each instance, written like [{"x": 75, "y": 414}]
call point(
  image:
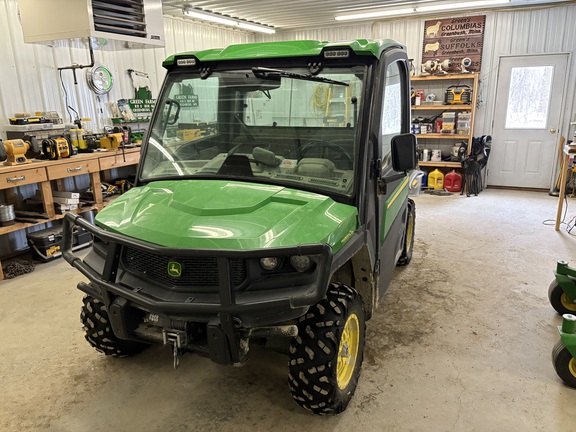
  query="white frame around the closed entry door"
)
[{"x": 563, "y": 128}]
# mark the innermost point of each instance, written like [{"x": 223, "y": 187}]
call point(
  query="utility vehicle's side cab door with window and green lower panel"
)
[{"x": 392, "y": 189}]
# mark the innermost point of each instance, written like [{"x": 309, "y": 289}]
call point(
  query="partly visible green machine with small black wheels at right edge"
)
[{"x": 562, "y": 296}]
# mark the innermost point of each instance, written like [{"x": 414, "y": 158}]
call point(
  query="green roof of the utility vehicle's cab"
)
[{"x": 304, "y": 48}]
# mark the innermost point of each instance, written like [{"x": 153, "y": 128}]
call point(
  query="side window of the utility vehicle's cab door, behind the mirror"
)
[{"x": 391, "y": 122}]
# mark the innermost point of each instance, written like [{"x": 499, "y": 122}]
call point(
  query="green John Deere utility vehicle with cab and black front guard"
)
[{"x": 271, "y": 207}]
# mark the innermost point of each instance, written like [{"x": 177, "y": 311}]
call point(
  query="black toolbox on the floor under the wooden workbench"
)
[{"x": 45, "y": 244}]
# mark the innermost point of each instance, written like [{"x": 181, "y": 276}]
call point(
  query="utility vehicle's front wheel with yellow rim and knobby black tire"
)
[{"x": 326, "y": 356}]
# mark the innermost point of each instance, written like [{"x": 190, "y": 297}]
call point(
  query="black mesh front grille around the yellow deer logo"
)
[{"x": 197, "y": 272}]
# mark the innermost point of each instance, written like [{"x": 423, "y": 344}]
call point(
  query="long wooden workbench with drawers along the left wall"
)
[{"x": 49, "y": 175}]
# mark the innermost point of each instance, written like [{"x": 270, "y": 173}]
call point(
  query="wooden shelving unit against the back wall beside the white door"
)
[{"x": 438, "y": 84}]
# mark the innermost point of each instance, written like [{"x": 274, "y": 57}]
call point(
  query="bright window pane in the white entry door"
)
[{"x": 529, "y": 97}]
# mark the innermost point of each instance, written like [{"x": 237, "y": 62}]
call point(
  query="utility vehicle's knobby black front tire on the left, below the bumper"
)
[{"x": 99, "y": 333}]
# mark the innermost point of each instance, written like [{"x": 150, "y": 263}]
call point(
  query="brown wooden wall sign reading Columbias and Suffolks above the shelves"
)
[{"x": 454, "y": 43}]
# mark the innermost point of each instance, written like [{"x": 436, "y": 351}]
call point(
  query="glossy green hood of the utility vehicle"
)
[{"x": 220, "y": 214}]
